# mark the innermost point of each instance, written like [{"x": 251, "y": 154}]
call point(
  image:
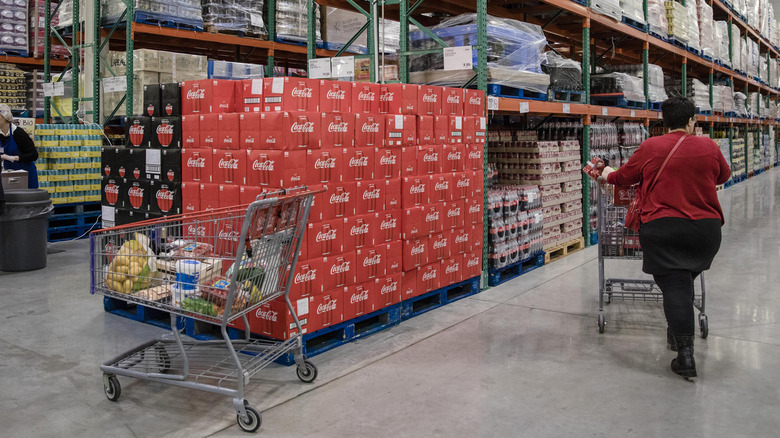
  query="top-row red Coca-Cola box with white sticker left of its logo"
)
[{"x": 291, "y": 94}]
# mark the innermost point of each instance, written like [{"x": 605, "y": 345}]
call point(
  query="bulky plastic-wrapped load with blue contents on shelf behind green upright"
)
[{"x": 514, "y": 54}]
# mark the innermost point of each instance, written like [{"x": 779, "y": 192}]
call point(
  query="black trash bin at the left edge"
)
[{"x": 23, "y": 230}]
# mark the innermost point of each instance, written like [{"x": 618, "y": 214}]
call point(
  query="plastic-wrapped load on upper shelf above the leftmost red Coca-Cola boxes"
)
[{"x": 235, "y": 15}]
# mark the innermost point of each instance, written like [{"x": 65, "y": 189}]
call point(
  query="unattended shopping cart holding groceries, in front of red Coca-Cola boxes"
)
[{"x": 214, "y": 266}]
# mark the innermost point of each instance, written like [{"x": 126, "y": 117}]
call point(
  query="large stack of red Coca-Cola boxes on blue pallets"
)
[{"x": 401, "y": 165}]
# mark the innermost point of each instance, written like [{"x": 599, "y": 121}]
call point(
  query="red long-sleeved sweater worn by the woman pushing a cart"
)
[{"x": 686, "y": 188}]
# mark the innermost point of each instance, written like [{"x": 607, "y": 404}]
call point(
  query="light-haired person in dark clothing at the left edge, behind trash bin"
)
[{"x": 18, "y": 149}]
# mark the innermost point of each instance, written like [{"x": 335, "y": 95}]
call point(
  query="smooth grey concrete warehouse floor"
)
[{"x": 521, "y": 360}]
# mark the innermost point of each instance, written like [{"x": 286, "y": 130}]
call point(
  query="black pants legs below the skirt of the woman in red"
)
[{"x": 677, "y": 289}]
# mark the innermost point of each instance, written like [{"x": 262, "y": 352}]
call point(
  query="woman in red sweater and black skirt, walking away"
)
[{"x": 681, "y": 217}]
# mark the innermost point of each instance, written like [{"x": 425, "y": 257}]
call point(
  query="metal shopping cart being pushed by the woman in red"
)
[{"x": 616, "y": 242}]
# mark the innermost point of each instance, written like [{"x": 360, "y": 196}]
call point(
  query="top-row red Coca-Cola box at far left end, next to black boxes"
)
[{"x": 209, "y": 96}]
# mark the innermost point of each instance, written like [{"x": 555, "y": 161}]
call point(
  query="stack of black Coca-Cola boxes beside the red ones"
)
[{"x": 142, "y": 179}]
